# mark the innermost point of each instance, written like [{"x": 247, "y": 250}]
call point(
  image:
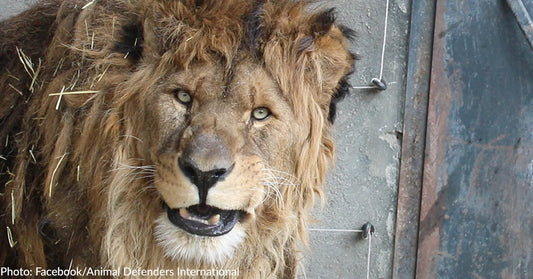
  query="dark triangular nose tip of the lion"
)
[{"x": 203, "y": 180}]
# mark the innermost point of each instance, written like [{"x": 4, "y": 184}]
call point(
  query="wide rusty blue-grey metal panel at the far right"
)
[{"x": 477, "y": 197}]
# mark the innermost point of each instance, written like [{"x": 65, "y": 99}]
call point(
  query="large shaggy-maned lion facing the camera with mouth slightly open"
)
[{"x": 164, "y": 134}]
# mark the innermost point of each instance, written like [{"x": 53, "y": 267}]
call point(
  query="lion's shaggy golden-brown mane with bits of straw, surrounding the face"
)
[{"x": 75, "y": 191}]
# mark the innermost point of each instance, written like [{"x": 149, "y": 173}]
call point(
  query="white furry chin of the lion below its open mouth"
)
[{"x": 180, "y": 245}]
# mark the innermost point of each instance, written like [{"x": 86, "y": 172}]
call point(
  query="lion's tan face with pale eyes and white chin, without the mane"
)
[{"x": 220, "y": 144}]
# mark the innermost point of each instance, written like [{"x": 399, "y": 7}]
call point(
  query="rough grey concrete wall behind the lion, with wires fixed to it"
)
[{"x": 363, "y": 186}]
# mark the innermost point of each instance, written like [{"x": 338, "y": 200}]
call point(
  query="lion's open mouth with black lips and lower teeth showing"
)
[{"x": 204, "y": 220}]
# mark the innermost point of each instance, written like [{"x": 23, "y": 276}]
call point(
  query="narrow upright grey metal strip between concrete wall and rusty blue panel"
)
[{"x": 413, "y": 140}]
